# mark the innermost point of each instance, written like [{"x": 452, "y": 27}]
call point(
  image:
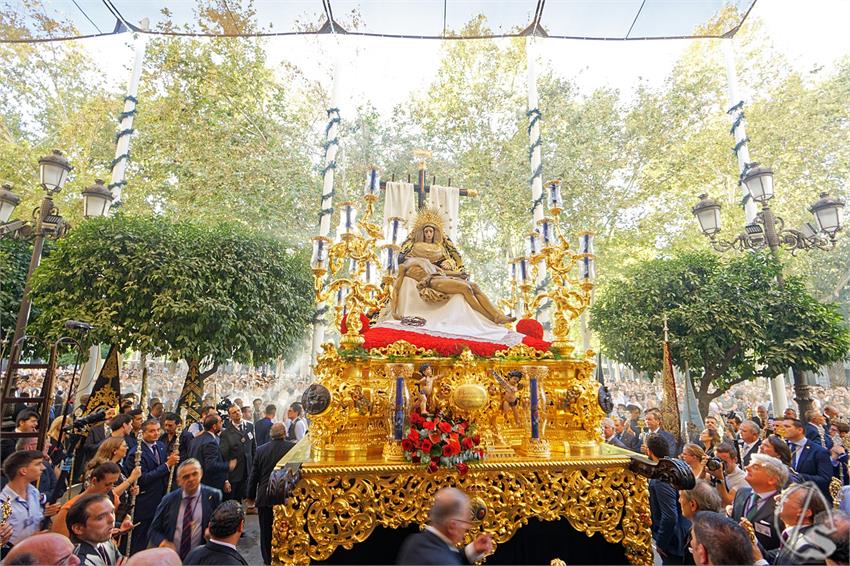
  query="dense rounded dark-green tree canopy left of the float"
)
[{"x": 183, "y": 289}]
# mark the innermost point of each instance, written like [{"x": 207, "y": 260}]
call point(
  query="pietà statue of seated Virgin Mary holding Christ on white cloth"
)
[{"x": 433, "y": 287}]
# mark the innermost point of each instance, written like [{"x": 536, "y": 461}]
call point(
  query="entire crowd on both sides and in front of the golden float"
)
[{"x": 155, "y": 489}]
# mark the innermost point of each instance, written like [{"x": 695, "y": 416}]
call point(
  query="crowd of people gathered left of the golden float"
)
[{"x": 150, "y": 488}]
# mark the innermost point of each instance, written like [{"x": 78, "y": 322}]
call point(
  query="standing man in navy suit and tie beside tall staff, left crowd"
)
[{"x": 156, "y": 465}]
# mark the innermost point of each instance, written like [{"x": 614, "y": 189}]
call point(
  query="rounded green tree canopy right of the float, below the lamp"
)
[{"x": 729, "y": 320}]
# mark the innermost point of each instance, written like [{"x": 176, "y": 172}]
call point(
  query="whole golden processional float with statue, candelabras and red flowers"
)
[{"x": 403, "y": 407}]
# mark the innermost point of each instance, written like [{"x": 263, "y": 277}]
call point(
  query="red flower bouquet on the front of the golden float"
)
[{"x": 437, "y": 440}]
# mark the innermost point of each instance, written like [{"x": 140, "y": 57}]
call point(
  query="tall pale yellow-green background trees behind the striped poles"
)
[{"x": 225, "y": 134}]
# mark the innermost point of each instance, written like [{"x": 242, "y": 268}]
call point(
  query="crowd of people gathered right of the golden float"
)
[{"x": 769, "y": 489}]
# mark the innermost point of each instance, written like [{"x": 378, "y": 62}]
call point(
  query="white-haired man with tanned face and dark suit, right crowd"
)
[{"x": 766, "y": 477}]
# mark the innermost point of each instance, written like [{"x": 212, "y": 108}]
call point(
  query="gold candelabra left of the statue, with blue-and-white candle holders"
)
[{"x": 353, "y": 264}]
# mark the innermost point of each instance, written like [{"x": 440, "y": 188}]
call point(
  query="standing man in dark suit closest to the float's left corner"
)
[{"x": 268, "y": 455}]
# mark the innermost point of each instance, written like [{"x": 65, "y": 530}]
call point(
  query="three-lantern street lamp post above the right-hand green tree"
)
[{"x": 768, "y": 230}]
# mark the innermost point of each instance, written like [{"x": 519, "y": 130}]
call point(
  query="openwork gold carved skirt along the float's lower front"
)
[{"x": 334, "y": 507}]
